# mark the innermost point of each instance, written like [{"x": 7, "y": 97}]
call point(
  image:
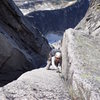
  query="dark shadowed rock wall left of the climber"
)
[{"x": 22, "y": 47}]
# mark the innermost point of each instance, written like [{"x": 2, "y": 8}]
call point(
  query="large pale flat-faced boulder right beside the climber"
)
[{"x": 81, "y": 64}]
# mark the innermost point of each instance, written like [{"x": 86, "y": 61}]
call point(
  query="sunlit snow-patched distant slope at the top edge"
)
[{"x": 27, "y": 6}]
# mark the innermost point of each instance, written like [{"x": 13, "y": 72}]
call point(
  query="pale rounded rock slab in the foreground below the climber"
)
[{"x": 39, "y": 84}]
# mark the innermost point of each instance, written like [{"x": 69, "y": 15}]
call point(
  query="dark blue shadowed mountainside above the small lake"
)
[{"x": 59, "y": 20}]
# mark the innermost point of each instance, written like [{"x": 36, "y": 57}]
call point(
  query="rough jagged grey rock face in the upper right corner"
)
[{"x": 91, "y": 22}]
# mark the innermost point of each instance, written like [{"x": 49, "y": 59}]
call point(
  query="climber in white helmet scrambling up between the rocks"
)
[{"x": 54, "y": 59}]
